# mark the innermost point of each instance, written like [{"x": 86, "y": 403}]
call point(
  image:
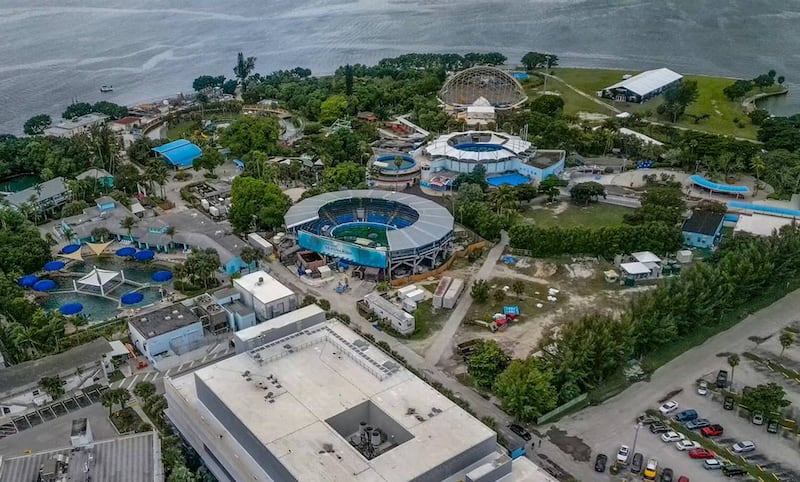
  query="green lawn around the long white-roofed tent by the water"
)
[{"x": 711, "y": 101}]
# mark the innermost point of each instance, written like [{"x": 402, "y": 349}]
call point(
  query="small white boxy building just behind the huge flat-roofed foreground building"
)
[{"x": 265, "y": 295}]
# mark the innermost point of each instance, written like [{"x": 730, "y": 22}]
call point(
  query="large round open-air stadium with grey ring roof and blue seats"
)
[{"x": 398, "y": 233}]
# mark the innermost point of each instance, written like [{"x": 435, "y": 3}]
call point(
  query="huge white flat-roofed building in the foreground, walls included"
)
[{"x": 323, "y": 404}]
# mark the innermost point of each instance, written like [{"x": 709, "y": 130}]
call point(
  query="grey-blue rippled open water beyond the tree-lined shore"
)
[{"x": 54, "y": 51}]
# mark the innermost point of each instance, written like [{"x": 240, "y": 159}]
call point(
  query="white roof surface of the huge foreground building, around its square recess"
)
[{"x": 322, "y": 377}]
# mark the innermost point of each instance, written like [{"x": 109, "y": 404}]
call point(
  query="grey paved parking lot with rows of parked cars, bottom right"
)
[{"x": 601, "y": 429}]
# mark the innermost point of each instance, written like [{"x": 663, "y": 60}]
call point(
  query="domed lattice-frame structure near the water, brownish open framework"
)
[{"x": 498, "y": 87}]
